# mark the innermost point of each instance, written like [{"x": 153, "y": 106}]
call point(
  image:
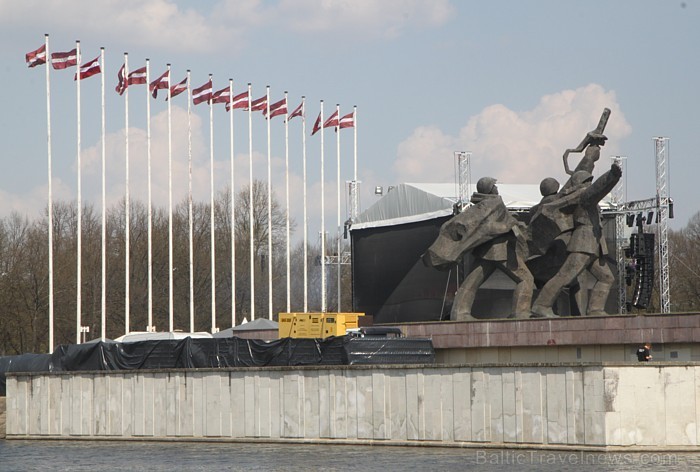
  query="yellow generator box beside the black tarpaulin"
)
[{"x": 316, "y": 325}]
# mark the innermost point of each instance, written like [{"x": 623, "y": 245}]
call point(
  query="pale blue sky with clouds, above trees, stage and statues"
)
[{"x": 514, "y": 82}]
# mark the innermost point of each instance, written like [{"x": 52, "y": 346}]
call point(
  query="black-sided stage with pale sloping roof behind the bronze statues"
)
[{"x": 390, "y": 281}]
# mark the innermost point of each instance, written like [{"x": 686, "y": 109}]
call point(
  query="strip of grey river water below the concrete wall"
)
[{"x": 170, "y": 456}]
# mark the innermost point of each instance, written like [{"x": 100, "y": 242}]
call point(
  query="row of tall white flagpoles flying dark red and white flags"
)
[{"x": 198, "y": 95}]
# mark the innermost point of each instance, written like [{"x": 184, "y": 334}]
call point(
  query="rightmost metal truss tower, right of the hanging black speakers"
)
[{"x": 663, "y": 205}]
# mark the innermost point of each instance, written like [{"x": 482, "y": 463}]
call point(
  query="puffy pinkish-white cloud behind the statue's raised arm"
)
[{"x": 514, "y": 147}]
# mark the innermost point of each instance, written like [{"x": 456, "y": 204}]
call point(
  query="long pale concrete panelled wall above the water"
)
[{"x": 571, "y": 405}]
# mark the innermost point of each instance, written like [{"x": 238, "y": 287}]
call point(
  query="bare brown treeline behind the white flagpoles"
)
[{"x": 24, "y": 278}]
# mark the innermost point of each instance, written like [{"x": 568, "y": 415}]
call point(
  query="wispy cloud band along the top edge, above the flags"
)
[{"x": 166, "y": 25}]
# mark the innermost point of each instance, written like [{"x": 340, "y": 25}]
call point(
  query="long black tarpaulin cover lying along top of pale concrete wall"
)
[{"x": 197, "y": 353}]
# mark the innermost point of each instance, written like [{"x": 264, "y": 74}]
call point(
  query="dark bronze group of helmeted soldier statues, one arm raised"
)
[{"x": 559, "y": 240}]
